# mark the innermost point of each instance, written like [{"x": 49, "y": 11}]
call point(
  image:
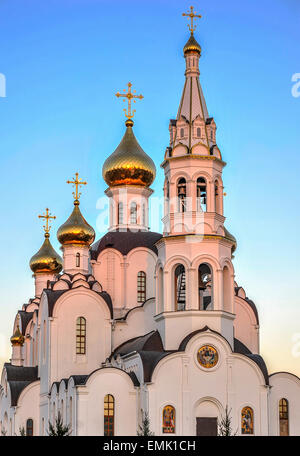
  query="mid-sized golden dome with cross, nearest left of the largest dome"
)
[{"x": 76, "y": 230}]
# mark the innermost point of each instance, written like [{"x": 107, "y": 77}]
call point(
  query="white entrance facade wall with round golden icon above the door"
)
[{"x": 180, "y": 381}]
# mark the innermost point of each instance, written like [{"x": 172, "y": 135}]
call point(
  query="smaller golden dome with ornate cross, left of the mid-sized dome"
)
[{"x": 46, "y": 260}]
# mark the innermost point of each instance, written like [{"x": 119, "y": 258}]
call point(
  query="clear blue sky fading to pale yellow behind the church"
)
[{"x": 65, "y": 59}]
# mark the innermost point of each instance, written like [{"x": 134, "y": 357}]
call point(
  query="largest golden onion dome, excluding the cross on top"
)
[{"x": 129, "y": 164}]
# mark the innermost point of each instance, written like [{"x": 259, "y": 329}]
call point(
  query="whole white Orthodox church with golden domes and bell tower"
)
[{"x": 139, "y": 322}]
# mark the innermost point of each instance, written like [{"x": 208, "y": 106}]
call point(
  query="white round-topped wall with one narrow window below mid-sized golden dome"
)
[{"x": 71, "y": 305}]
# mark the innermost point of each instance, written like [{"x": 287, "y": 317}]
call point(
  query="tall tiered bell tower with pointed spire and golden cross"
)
[{"x": 195, "y": 275}]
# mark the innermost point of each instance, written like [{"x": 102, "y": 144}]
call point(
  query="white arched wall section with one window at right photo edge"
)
[{"x": 287, "y": 386}]
